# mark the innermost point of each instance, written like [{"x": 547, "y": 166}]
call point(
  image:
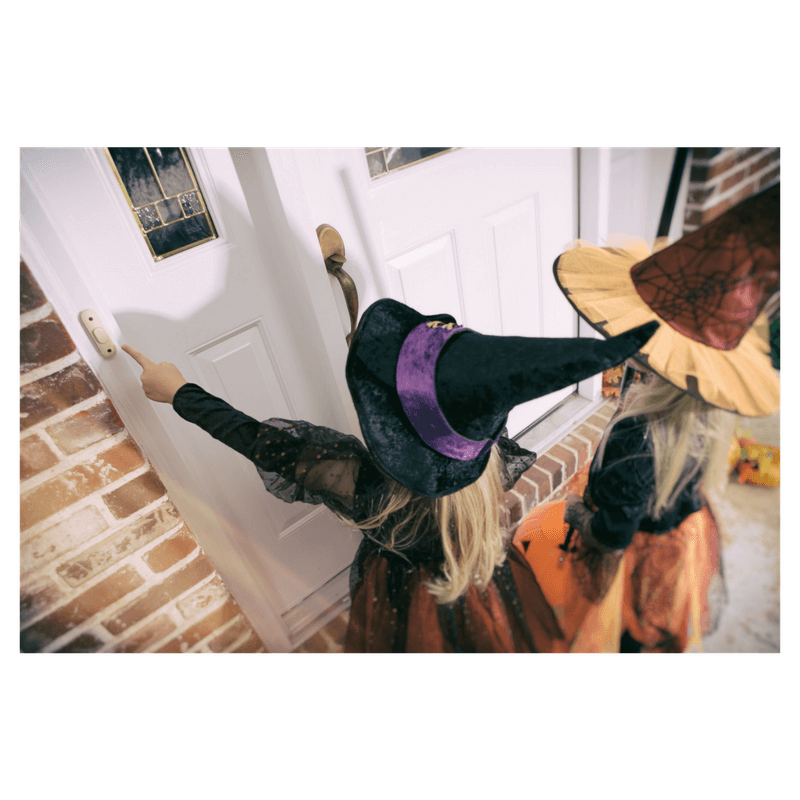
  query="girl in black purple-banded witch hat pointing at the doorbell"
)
[{"x": 434, "y": 572}]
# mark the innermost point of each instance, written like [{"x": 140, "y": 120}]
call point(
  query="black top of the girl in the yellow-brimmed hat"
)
[{"x": 621, "y": 487}]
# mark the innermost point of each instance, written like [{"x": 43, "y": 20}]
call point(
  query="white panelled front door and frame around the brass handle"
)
[{"x": 253, "y": 317}]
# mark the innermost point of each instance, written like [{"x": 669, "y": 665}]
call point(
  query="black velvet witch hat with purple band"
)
[{"x": 432, "y": 397}]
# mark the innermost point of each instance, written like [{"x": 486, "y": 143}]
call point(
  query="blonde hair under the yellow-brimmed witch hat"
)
[{"x": 687, "y": 436}]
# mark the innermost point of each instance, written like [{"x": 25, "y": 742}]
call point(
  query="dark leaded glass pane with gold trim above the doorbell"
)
[{"x": 162, "y": 190}]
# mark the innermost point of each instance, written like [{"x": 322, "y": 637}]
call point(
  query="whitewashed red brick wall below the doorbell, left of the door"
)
[{"x": 106, "y": 563}]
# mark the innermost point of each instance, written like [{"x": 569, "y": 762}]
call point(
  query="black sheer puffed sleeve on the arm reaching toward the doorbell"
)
[{"x": 297, "y": 461}]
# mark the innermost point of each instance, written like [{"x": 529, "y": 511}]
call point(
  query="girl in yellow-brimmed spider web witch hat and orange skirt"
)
[{"x": 630, "y": 565}]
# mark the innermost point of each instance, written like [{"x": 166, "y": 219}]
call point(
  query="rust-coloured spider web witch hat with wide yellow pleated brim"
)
[{"x": 708, "y": 290}]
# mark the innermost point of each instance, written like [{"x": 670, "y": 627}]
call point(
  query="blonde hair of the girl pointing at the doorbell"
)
[{"x": 468, "y": 522}]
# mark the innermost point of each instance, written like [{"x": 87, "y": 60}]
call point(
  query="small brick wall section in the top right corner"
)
[{"x": 721, "y": 177}]
